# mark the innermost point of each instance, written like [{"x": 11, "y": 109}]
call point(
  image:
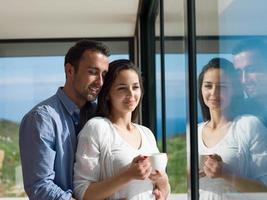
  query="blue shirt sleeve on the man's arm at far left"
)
[{"x": 37, "y": 143}]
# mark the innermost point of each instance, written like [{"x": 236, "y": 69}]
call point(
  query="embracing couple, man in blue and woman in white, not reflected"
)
[{"x": 111, "y": 152}]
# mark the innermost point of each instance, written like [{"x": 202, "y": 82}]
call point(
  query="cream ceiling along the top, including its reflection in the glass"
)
[{"x": 35, "y": 19}]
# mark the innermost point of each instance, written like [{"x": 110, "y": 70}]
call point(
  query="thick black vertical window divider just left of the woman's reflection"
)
[{"x": 192, "y": 138}]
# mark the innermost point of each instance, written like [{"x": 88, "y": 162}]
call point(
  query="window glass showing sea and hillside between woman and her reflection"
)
[{"x": 175, "y": 119}]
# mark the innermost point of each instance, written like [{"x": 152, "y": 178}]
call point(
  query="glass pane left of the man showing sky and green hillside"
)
[{"x": 25, "y": 81}]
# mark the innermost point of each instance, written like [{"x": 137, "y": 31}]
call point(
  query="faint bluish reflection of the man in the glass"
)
[{"x": 250, "y": 59}]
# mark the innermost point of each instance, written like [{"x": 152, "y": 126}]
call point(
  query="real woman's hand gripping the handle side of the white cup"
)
[{"x": 140, "y": 168}]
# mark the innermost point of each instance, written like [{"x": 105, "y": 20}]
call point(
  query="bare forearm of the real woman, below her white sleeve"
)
[{"x": 106, "y": 188}]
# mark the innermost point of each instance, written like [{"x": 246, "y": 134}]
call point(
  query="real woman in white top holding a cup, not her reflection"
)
[{"x": 112, "y": 157}]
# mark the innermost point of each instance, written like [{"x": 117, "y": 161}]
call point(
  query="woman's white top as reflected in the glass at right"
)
[{"x": 243, "y": 151}]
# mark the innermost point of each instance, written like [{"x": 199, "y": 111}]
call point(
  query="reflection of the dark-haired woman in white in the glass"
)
[{"x": 235, "y": 145}]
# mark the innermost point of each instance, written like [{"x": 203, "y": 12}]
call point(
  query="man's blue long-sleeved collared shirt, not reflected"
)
[{"x": 47, "y": 141}]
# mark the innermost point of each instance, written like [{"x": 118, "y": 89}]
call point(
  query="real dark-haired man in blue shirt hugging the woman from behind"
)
[{"x": 47, "y": 137}]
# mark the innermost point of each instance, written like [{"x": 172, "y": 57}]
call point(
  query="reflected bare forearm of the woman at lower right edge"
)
[{"x": 245, "y": 185}]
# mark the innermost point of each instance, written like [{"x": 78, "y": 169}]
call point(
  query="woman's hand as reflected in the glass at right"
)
[{"x": 213, "y": 166}]
